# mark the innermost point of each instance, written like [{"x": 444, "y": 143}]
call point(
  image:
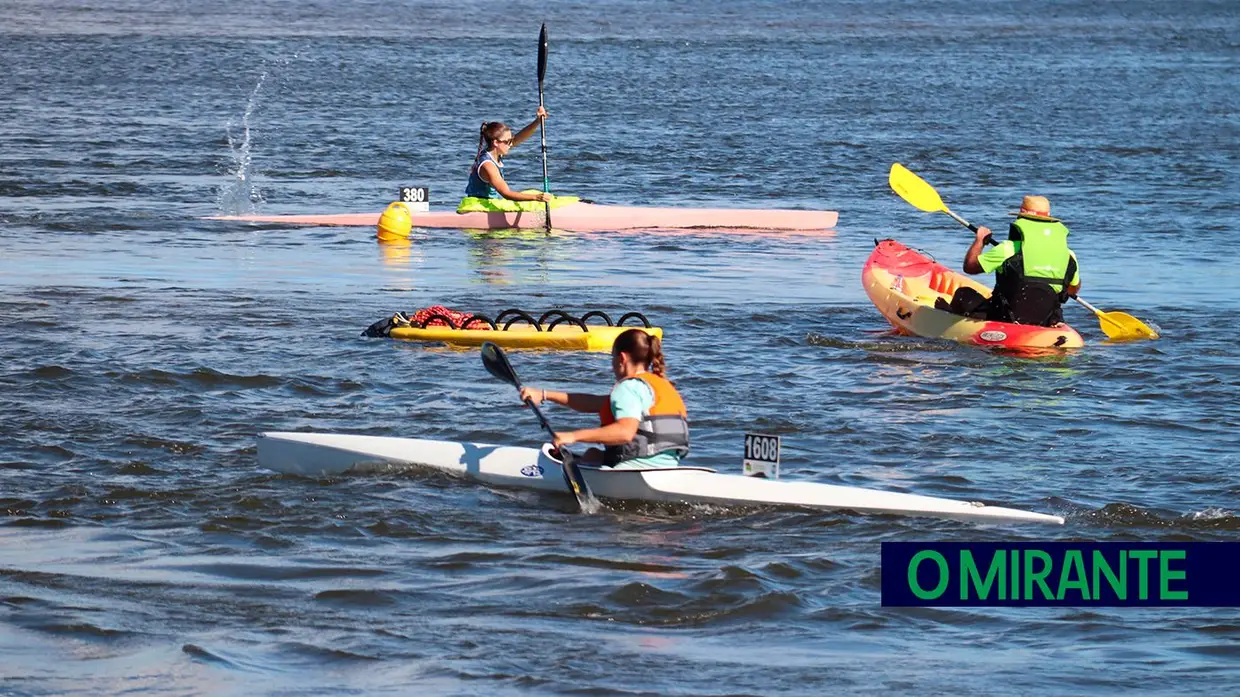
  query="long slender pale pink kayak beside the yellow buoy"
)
[{"x": 585, "y": 218}]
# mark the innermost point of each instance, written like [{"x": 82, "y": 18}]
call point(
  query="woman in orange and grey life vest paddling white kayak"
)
[{"x": 643, "y": 421}]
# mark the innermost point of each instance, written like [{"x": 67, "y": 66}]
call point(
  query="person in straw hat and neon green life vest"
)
[{"x": 1035, "y": 271}]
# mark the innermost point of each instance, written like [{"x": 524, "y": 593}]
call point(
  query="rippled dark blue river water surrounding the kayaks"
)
[{"x": 142, "y": 551}]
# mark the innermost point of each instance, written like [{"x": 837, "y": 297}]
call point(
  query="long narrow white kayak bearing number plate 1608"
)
[{"x": 321, "y": 455}]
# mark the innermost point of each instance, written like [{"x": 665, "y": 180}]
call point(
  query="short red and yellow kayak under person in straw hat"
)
[{"x": 905, "y": 285}]
